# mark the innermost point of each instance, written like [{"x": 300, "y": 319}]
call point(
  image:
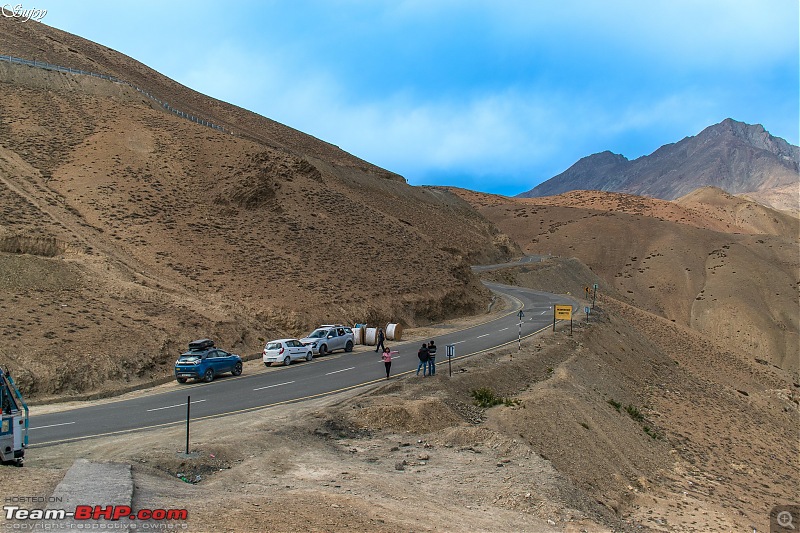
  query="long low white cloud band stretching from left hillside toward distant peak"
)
[{"x": 511, "y": 131}]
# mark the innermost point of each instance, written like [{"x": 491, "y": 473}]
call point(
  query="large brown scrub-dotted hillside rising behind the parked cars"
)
[{"x": 128, "y": 230}]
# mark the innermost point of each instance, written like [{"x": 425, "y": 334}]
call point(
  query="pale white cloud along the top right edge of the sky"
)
[{"x": 694, "y": 33}]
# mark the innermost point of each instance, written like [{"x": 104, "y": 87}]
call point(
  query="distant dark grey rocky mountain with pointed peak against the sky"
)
[{"x": 736, "y": 157}]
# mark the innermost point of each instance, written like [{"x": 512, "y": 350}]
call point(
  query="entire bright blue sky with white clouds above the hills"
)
[{"x": 495, "y": 96}]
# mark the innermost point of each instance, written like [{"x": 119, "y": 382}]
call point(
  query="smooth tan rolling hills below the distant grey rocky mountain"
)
[{"x": 723, "y": 266}]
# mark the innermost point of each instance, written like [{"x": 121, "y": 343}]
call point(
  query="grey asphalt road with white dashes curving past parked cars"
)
[{"x": 302, "y": 380}]
